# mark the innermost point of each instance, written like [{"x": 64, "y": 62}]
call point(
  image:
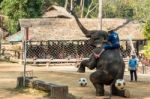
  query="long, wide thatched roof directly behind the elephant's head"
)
[{"x": 67, "y": 29}]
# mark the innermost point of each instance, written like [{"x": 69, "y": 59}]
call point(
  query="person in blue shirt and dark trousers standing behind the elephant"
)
[{"x": 133, "y": 64}]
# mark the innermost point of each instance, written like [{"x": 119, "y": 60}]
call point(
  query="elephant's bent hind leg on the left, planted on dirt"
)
[{"x": 98, "y": 78}]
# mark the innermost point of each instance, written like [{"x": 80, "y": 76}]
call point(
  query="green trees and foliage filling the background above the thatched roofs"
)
[{"x": 16, "y": 9}]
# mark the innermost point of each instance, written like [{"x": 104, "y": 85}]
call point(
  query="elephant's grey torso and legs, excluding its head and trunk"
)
[{"x": 109, "y": 67}]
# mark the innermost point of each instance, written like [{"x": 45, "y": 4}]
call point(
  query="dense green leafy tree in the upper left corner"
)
[{"x": 20, "y": 9}]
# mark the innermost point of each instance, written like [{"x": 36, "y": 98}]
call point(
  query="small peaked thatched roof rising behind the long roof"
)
[{"x": 56, "y": 11}]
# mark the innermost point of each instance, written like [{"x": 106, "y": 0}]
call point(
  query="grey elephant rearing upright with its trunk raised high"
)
[{"x": 109, "y": 66}]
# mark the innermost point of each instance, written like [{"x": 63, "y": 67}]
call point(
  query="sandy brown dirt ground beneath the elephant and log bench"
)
[{"x": 64, "y": 75}]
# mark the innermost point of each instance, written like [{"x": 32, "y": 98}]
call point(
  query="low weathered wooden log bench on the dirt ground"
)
[{"x": 55, "y": 91}]
